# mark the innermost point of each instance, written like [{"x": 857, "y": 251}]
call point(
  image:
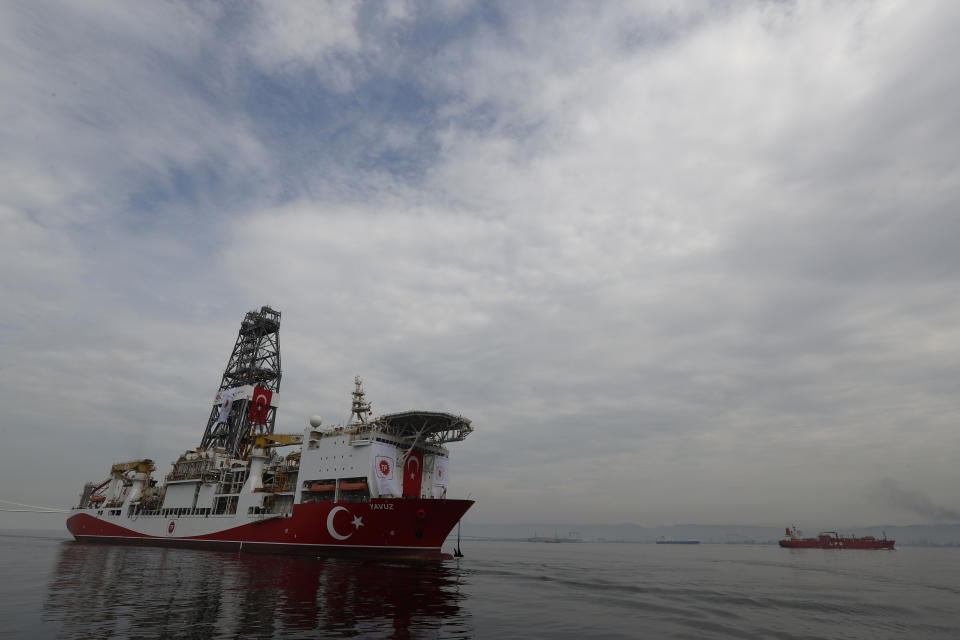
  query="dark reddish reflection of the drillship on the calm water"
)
[{"x": 99, "y": 590}]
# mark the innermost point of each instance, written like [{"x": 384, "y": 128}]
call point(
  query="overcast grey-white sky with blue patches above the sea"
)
[{"x": 679, "y": 262}]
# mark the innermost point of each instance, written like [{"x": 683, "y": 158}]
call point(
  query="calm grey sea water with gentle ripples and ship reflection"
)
[{"x": 53, "y": 587}]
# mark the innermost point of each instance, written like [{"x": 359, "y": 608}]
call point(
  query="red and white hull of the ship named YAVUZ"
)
[{"x": 397, "y": 526}]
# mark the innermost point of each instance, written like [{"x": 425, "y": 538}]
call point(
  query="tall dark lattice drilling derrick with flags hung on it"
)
[{"x": 246, "y": 403}]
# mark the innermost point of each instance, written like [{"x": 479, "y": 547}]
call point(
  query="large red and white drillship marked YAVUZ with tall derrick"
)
[{"x": 373, "y": 486}]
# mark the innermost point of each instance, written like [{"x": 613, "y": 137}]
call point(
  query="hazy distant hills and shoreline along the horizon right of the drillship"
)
[{"x": 912, "y": 535}]
